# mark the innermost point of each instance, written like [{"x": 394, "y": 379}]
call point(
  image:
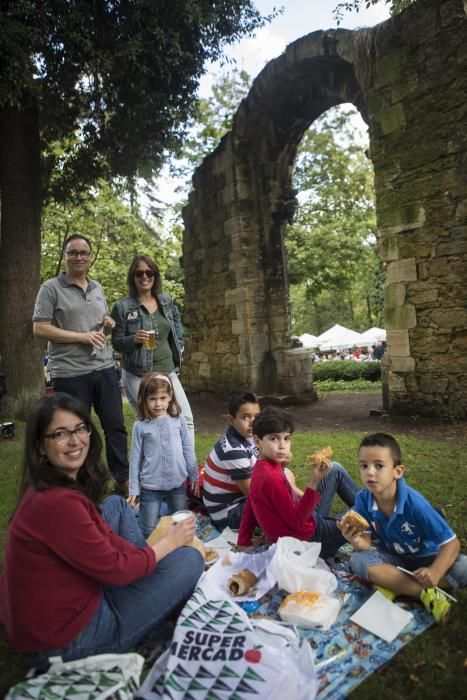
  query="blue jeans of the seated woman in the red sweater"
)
[{"x": 128, "y": 615}]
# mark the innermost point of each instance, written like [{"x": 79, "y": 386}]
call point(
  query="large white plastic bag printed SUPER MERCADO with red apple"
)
[{"x": 217, "y": 652}]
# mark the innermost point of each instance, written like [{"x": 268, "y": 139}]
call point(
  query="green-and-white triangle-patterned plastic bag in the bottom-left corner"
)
[{"x": 93, "y": 678}]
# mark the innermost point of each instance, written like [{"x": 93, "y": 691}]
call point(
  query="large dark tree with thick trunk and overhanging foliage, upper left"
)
[{"x": 113, "y": 82}]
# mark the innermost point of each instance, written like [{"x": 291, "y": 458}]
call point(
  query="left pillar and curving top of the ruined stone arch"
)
[{"x": 243, "y": 197}]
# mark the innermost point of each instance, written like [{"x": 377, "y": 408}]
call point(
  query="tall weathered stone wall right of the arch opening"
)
[{"x": 417, "y": 102}]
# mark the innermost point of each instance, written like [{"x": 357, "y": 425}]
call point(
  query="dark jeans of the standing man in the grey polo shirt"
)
[{"x": 100, "y": 389}]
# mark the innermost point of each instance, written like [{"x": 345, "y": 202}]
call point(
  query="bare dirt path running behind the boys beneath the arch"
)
[{"x": 340, "y": 412}]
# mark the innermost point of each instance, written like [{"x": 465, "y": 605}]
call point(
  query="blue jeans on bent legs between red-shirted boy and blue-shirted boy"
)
[{"x": 340, "y": 482}]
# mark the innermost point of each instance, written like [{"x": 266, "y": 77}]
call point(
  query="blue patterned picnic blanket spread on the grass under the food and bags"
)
[{"x": 345, "y": 654}]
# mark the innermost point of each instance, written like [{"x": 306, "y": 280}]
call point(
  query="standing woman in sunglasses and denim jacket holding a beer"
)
[{"x": 148, "y": 333}]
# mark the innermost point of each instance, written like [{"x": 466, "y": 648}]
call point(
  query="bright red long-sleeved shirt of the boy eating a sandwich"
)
[{"x": 273, "y": 506}]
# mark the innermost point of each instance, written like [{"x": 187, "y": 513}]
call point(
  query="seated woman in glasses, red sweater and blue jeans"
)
[{"x": 79, "y": 578}]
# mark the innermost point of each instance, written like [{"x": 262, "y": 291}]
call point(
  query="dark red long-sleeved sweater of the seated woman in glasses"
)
[{"x": 59, "y": 554}]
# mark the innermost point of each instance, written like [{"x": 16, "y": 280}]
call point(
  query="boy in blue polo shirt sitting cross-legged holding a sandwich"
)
[{"x": 409, "y": 533}]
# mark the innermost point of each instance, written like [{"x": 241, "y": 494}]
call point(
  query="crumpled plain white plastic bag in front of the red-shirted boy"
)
[{"x": 296, "y": 567}]
